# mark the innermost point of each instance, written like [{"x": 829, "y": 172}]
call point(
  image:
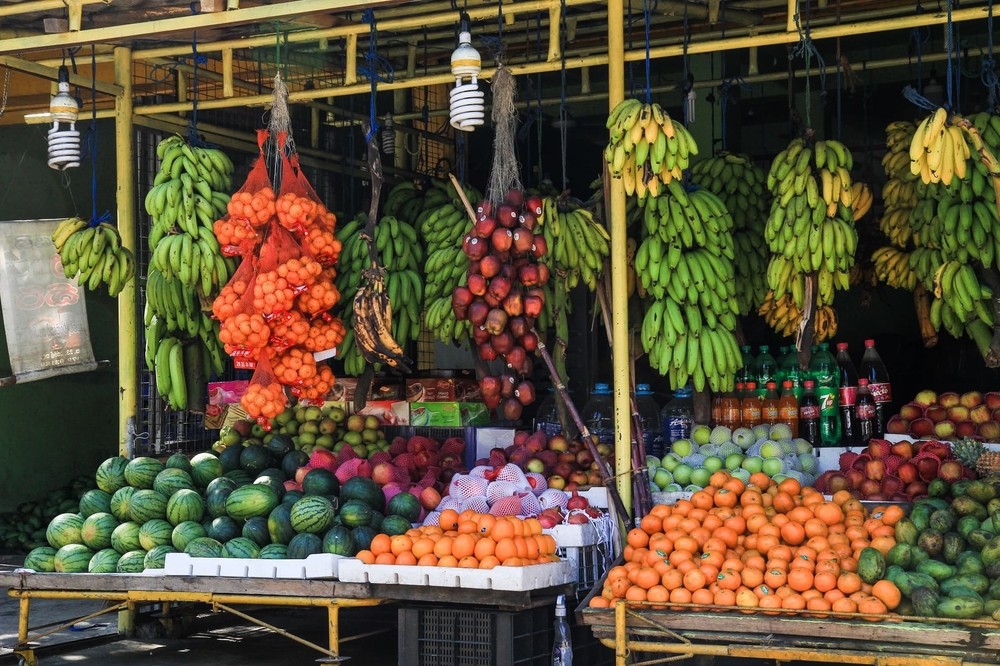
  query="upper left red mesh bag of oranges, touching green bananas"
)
[{"x": 250, "y": 209}]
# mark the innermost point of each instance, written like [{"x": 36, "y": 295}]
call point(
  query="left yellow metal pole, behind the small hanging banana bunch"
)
[{"x": 125, "y": 203}]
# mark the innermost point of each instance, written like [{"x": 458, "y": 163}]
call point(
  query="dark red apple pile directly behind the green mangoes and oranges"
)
[{"x": 893, "y": 471}]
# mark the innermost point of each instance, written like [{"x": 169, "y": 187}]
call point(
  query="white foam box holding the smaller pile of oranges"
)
[{"x": 508, "y": 579}]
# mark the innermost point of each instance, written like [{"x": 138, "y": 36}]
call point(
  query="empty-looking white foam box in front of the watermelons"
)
[{"x": 319, "y": 566}]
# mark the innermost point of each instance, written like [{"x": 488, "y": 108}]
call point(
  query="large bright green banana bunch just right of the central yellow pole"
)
[{"x": 685, "y": 263}]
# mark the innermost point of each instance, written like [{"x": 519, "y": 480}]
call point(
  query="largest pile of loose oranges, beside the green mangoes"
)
[{"x": 763, "y": 547}]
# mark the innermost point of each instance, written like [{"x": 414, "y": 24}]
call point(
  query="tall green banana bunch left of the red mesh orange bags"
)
[{"x": 186, "y": 267}]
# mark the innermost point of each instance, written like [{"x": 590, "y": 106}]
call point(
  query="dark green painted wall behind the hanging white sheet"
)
[{"x": 53, "y": 430}]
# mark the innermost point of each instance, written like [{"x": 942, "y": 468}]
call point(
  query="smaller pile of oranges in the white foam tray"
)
[{"x": 467, "y": 540}]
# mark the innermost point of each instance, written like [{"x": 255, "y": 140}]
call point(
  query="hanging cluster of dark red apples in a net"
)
[{"x": 503, "y": 296}]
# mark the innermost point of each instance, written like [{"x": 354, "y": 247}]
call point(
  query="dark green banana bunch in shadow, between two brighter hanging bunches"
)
[{"x": 741, "y": 187}]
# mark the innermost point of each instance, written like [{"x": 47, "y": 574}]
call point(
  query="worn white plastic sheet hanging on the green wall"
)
[{"x": 44, "y": 314}]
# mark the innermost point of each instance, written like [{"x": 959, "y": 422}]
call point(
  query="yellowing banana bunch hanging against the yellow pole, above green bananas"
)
[{"x": 647, "y": 148}]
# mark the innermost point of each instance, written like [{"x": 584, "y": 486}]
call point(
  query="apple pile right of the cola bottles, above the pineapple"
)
[{"x": 949, "y": 416}]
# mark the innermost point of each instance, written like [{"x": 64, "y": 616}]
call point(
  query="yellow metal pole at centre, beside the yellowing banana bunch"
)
[{"x": 619, "y": 268}]
